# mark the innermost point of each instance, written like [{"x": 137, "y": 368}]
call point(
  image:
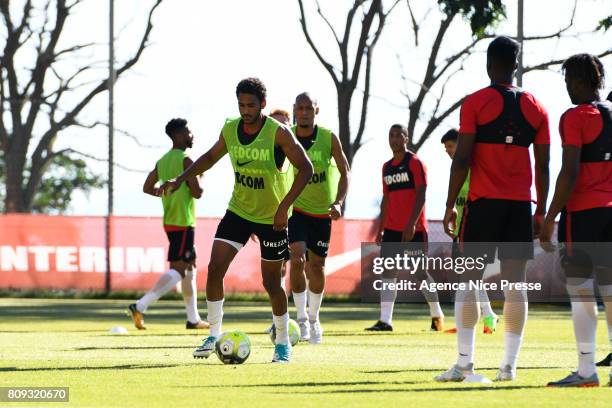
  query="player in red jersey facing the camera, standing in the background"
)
[{"x": 402, "y": 219}]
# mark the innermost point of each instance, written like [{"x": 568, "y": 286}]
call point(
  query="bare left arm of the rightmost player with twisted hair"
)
[{"x": 570, "y": 167}]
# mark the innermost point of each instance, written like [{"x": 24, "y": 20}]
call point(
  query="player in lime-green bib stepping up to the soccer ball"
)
[{"x": 261, "y": 202}]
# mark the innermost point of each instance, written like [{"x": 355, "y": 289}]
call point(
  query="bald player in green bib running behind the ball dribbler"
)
[{"x": 313, "y": 212}]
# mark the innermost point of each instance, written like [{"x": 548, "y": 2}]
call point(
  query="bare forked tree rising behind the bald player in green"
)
[{"x": 346, "y": 78}]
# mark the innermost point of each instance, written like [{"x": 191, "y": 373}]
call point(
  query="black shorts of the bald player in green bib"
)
[{"x": 314, "y": 231}]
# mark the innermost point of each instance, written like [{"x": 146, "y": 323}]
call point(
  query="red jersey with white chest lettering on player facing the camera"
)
[{"x": 400, "y": 178}]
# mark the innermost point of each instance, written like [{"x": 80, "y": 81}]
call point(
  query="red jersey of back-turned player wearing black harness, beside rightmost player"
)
[{"x": 501, "y": 169}]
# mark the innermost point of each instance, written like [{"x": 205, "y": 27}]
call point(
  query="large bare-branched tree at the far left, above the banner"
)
[{"x": 34, "y": 102}]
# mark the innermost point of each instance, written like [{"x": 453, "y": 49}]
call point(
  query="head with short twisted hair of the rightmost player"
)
[{"x": 584, "y": 77}]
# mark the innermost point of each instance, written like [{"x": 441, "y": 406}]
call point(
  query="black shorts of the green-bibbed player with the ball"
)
[{"x": 272, "y": 244}]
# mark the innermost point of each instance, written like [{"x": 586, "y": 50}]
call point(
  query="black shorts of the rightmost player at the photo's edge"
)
[{"x": 587, "y": 237}]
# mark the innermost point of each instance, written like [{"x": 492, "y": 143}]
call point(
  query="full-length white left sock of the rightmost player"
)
[{"x": 584, "y": 315}]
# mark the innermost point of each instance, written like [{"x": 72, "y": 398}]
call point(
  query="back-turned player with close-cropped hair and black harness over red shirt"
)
[{"x": 498, "y": 124}]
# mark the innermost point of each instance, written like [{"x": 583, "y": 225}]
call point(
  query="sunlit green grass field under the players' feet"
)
[{"x": 65, "y": 343}]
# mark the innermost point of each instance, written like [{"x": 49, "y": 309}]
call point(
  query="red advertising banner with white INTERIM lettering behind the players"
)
[{"x": 38, "y": 251}]
